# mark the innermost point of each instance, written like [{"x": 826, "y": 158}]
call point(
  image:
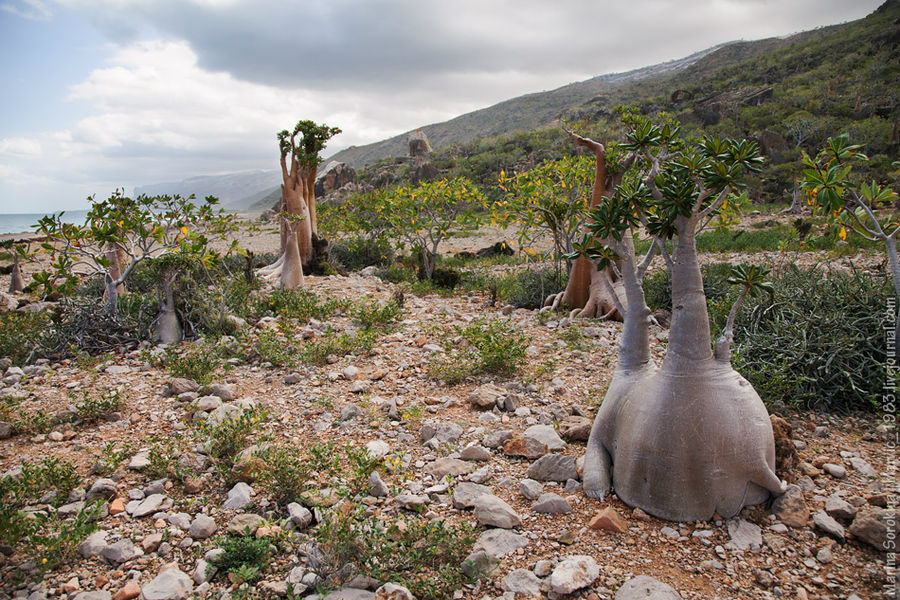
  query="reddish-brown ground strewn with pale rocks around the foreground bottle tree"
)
[{"x": 500, "y": 453}]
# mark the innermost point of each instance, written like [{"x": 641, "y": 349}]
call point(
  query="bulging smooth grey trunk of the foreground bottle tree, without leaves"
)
[{"x": 692, "y": 438}]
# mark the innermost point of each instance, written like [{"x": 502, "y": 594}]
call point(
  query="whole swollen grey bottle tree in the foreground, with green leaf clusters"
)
[{"x": 690, "y": 437}]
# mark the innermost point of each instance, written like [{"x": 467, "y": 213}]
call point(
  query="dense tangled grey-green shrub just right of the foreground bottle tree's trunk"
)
[{"x": 819, "y": 343}]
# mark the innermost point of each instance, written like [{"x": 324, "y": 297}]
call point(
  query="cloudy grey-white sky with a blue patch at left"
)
[{"x": 104, "y": 94}]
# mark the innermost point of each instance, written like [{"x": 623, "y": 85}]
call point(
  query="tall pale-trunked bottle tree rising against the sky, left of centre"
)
[{"x": 299, "y": 150}]
